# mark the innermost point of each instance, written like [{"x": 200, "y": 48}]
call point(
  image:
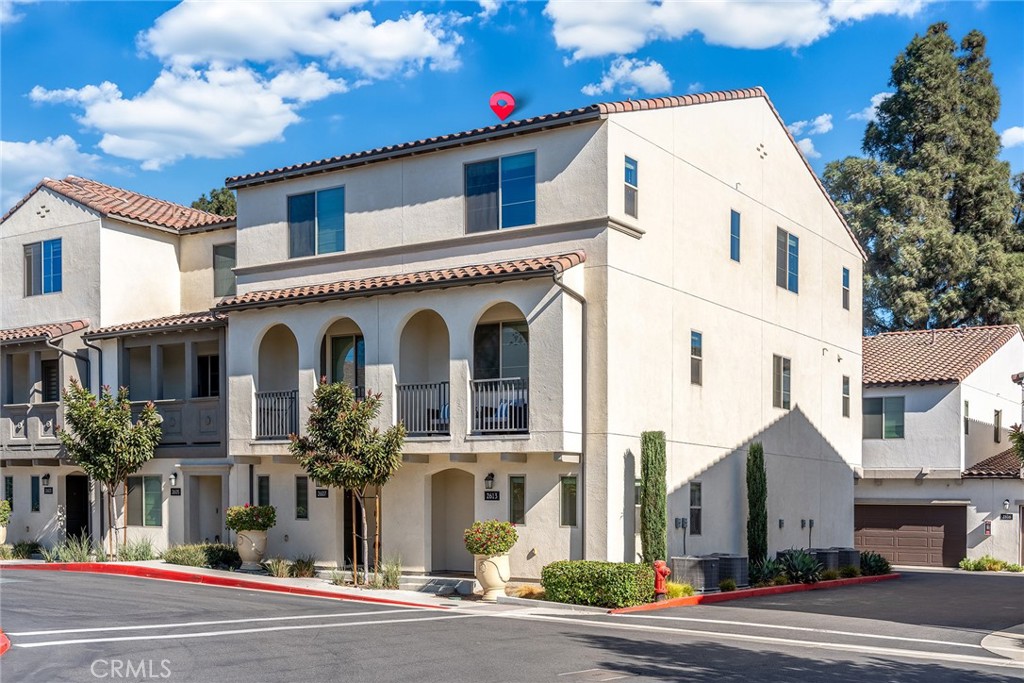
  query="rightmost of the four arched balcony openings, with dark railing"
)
[{"x": 500, "y": 388}]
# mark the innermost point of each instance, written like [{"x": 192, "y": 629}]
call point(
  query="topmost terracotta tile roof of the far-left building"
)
[{"x": 117, "y": 203}]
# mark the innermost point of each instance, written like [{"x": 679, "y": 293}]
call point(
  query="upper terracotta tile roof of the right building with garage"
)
[{"x": 931, "y": 356}]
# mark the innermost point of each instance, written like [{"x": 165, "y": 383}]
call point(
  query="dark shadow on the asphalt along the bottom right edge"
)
[{"x": 709, "y": 662}]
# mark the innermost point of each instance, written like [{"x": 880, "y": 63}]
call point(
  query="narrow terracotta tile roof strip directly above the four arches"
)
[{"x": 504, "y": 271}]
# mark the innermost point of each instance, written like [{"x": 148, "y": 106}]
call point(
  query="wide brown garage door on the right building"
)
[{"x": 915, "y": 535}]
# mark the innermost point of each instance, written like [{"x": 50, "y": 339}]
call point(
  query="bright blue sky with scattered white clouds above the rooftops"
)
[{"x": 169, "y": 100}]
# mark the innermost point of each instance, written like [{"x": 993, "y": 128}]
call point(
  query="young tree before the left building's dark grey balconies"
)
[{"x": 103, "y": 440}]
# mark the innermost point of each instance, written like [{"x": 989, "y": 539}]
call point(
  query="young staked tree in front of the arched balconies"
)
[{"x": 343, "y": 450}]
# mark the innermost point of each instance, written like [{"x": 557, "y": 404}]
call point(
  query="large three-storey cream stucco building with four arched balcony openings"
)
[{"x": 529, "y": 298}]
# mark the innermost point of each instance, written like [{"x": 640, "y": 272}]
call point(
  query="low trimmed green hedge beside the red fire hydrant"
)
[{"x": 599, "y": 584}]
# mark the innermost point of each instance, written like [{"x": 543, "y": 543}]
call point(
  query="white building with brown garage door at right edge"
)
[{"x": 940, "y": 480}]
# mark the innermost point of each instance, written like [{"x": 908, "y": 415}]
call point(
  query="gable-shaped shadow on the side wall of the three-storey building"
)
[{"x": 810, "y": 489}]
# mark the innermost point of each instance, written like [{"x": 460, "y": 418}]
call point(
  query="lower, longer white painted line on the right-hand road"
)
[{"x": 786, "y": 643}]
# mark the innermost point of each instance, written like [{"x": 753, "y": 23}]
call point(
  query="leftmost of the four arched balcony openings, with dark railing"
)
[{"x": 278, "y": 386}]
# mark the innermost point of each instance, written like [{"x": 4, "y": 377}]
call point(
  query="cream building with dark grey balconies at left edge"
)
[{"x": 82, "y": 263}]
